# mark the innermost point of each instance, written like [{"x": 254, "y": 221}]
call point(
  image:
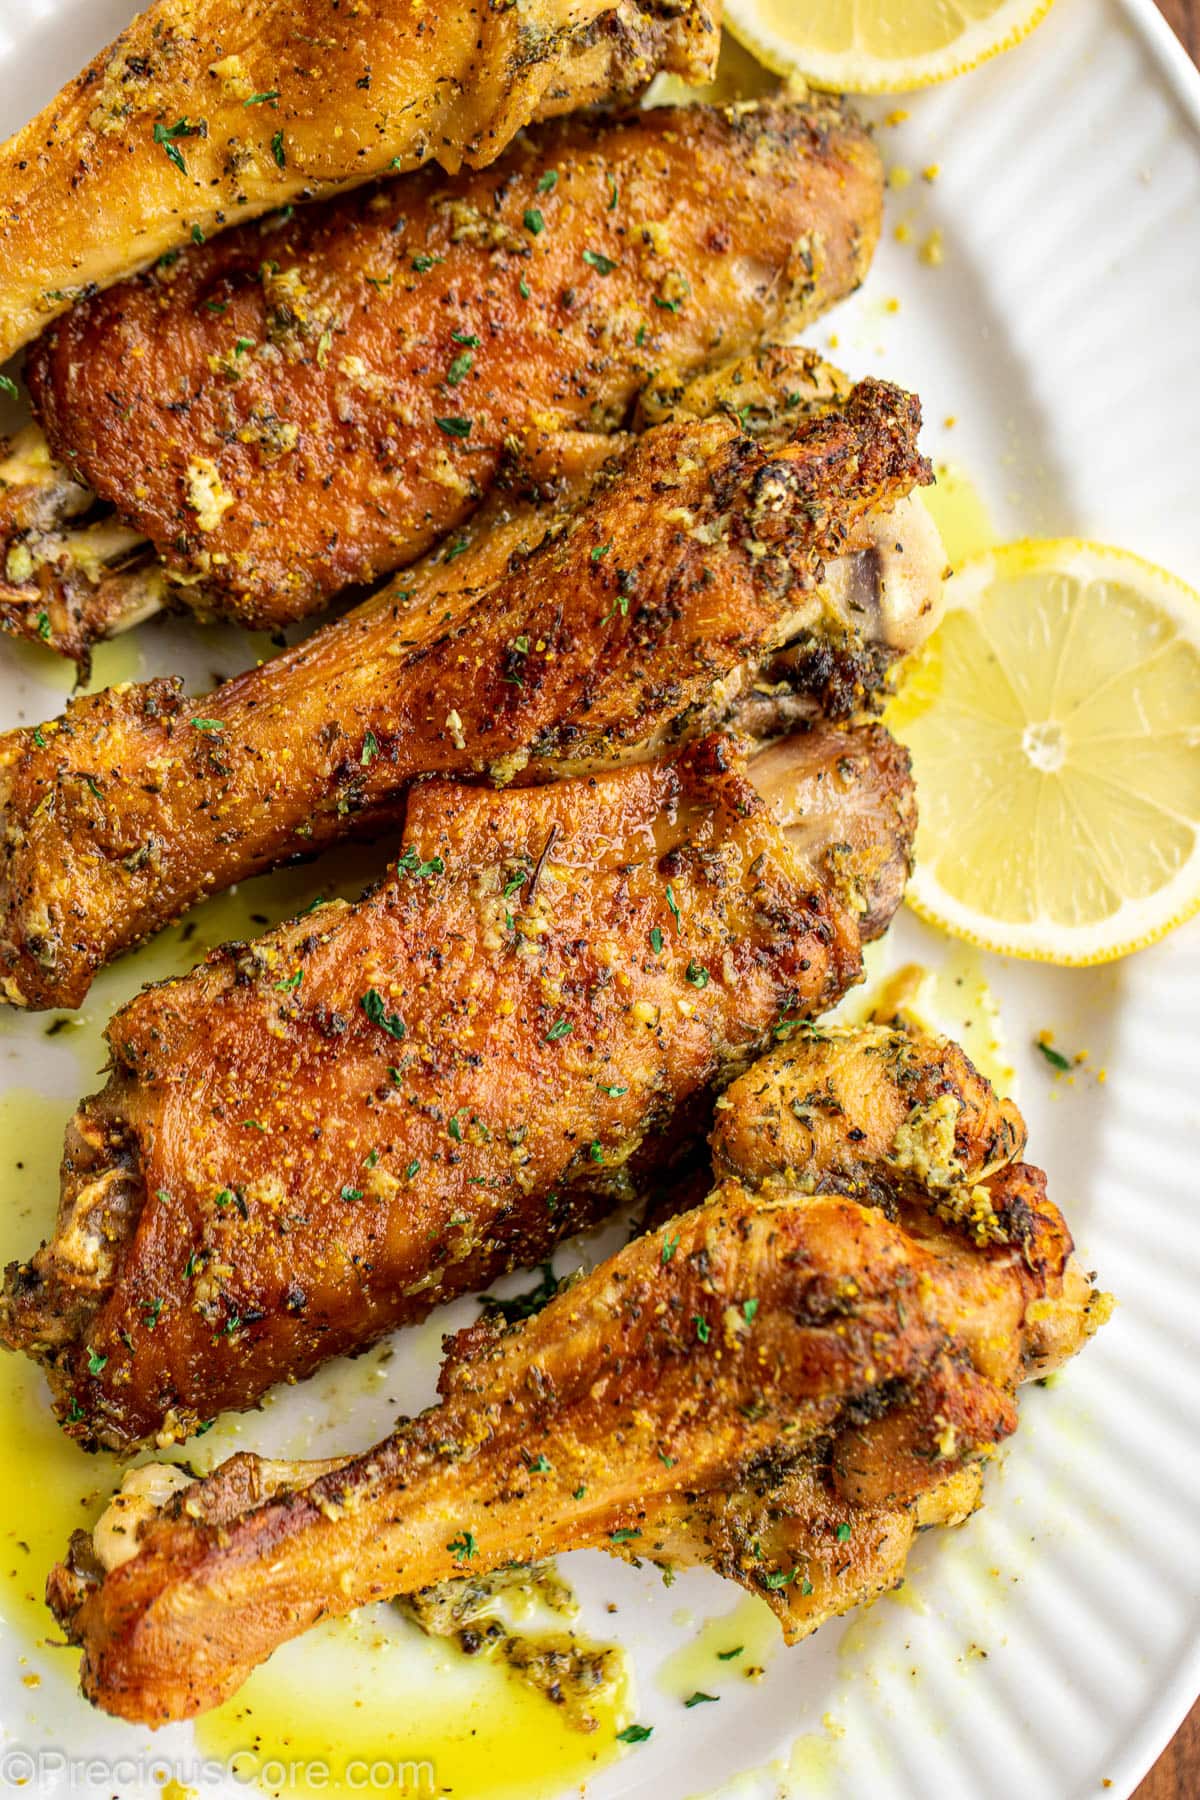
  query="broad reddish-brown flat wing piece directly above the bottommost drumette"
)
[{"x": 325, "y": 1133}]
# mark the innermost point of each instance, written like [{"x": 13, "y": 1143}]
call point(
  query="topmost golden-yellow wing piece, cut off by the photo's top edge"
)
[{"x": 204, "y": 114}]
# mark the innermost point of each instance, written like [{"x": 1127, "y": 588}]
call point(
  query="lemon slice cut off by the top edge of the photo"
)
[{"x": 879, "y": 46}]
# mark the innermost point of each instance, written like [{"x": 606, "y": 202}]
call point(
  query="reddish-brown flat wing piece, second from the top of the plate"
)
[{"x": 314, "y": 402}]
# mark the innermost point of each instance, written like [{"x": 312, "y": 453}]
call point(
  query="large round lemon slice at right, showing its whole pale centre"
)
[{"x": 1055, "y": 733}]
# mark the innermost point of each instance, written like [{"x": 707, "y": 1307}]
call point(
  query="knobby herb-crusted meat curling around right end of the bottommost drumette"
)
[{"x": 906, "y": 1124}]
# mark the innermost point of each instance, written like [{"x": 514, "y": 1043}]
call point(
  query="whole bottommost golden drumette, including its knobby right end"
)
[{"x": 782, "y": 1383}]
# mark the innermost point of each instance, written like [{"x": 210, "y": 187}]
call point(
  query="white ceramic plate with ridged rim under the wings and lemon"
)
[{"x": 1053, "y": 1644}]
